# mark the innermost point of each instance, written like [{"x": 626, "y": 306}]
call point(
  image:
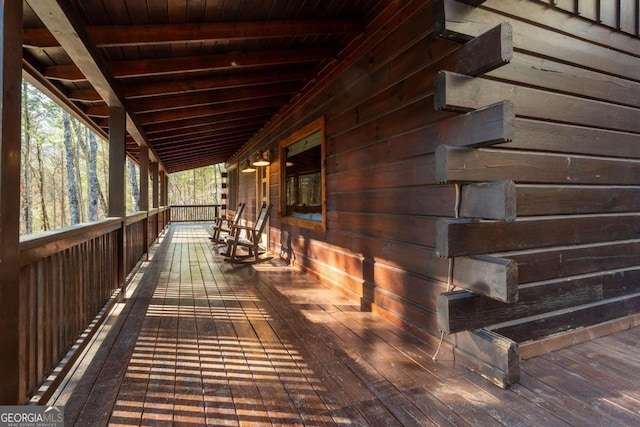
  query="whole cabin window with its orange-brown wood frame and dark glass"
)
[{"x": 303, "y": 177}]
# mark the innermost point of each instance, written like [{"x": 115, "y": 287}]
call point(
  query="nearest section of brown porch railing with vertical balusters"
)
[{"x": 66, "y": 277}]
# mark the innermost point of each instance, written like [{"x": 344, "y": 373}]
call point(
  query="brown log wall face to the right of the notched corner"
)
[{"x": 574, "y": 158}]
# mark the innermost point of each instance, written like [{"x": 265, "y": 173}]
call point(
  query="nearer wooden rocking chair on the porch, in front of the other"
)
[{"x": 251, "y": 241}]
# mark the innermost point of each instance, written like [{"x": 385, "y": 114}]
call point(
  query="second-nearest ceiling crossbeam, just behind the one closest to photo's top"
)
[{"x": 190, "y": 64}]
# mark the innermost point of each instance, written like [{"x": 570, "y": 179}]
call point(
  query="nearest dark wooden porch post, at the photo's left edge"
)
[{"x": 12, "y": 370}]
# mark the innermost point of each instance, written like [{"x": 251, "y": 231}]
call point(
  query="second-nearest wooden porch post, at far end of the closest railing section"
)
[{"x": 117, "y": 190}]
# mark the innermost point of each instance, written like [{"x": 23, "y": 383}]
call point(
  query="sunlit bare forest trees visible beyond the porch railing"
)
[{"x": 65, "y": 171}]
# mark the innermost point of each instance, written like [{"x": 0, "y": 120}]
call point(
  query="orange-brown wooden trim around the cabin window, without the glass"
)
[{"x": 315, "y": 126}]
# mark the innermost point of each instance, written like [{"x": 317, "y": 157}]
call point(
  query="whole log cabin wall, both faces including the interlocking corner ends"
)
[{"x": 492, "y": 148}]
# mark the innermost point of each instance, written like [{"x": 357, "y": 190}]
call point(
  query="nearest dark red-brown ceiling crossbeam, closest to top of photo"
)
[{"x": 121, "y": 35}]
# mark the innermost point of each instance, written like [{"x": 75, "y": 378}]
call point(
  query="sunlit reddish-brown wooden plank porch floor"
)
[{"x": 201, "y": 342}]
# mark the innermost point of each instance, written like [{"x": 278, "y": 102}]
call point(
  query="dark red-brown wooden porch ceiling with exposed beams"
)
[{"x": 197, "y": 78}]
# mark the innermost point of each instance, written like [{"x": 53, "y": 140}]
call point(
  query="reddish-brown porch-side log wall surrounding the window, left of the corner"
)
[{"x": 382, "y": 198}]
